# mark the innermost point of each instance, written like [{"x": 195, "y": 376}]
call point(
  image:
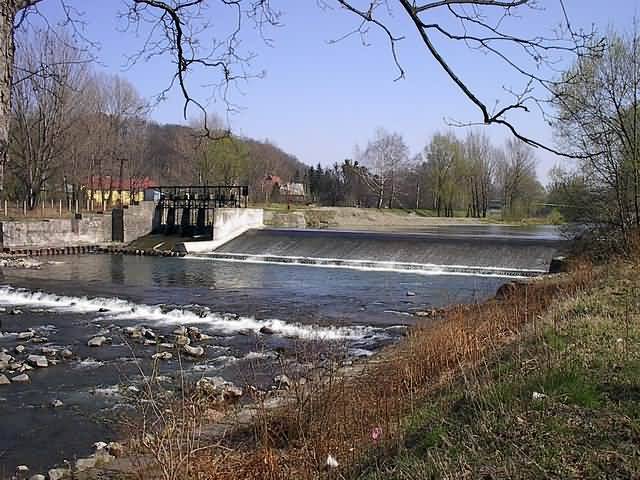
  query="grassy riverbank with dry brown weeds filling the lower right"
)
[{"x": 540, "y": 382}]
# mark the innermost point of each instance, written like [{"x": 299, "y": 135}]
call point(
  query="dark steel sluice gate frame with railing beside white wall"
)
[{"x": 188, "y": 210}]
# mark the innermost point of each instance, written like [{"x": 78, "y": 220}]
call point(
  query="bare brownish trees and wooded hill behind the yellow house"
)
[{"x": 73, "y": 129}]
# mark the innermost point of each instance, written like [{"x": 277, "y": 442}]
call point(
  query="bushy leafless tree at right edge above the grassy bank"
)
[{"x": 598, "y": 114}]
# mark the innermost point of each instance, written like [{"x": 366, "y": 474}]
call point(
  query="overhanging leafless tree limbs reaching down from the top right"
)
[{"x": 491, "y": 27}]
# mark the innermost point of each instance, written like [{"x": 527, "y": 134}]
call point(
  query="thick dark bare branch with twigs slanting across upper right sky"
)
[{"x": 487, "y": 38}]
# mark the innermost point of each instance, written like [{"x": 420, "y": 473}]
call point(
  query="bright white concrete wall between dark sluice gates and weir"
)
[{"x": 228, "y": 223}]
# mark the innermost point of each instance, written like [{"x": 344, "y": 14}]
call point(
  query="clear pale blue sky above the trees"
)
[{"x": 319, "y": 98}]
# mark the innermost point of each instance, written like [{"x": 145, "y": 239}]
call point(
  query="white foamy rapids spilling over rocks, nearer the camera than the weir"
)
[{"x": 119, "y": 309}]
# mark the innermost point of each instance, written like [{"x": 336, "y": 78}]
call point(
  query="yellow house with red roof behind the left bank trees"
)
[{"x": 108, "y": 189}]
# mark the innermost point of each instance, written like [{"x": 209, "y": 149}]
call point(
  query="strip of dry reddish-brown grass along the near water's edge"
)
[{"x": 340, "y": 414}]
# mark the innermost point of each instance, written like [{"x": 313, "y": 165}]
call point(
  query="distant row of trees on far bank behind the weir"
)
[{"x": 450, "y": 176}]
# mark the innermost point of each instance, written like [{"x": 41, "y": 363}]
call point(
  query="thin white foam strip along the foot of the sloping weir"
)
[{"x": 371, "y": 265}]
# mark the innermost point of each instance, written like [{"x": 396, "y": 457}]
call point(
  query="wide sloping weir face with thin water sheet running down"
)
[{"x": 446, "y": 252}]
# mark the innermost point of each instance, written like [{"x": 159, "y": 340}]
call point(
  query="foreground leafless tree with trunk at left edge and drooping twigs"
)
[{"x": 174, "y": 29}]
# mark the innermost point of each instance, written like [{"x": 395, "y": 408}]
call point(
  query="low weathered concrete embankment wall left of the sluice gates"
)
[{"x": 91, "y": 229}]
